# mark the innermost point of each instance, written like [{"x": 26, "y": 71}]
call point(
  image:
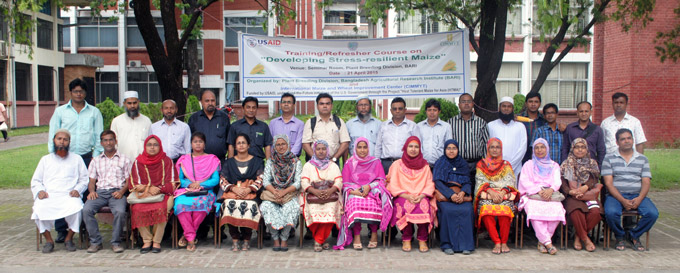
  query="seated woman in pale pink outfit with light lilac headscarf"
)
[{"x": 539, "y": 186}]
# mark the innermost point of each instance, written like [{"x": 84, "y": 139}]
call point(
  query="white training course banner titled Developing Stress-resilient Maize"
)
[{"x": 432, "y": 65}]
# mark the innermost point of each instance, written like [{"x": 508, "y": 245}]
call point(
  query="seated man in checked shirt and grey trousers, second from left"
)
[{"x": 108, "y": 173}]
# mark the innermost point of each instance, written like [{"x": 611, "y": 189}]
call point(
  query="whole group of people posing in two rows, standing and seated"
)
[{"x": 452, "y": 176}]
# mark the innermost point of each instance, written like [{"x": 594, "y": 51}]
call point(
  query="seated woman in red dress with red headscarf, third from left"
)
[{"x": 152, "y": 174}]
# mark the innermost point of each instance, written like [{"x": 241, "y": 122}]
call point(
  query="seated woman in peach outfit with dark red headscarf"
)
[{"x": 411, "y": 185}]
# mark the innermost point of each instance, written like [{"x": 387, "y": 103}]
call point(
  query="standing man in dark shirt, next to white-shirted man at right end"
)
[{"x": 587, "y": 130}]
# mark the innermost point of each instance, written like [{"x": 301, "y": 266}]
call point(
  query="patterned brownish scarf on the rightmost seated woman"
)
[{"x": 579, "y": 169}]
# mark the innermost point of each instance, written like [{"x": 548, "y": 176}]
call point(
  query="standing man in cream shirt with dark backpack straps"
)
[{"x": 328, "y": 127}]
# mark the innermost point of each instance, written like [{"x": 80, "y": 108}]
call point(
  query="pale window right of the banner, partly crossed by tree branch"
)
[{"x": 566, "y": 85}]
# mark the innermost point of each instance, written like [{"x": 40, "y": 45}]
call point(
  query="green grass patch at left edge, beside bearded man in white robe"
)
[{"x": 19, "y": 164}]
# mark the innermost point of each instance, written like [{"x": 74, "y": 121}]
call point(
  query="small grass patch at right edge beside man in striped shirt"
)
[{"x": 665, "y": 169}]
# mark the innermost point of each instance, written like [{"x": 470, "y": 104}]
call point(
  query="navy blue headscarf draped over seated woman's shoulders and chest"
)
[{"x": 451, "y": 169}]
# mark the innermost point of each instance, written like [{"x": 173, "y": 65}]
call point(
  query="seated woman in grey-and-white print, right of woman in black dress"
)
[{"x": 281, "y": 181}]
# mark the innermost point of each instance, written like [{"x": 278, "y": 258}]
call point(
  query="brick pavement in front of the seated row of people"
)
[{"x": 17, "y": 251}]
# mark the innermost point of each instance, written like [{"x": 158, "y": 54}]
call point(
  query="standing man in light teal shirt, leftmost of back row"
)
[{"x": 82, "y": 120}]
